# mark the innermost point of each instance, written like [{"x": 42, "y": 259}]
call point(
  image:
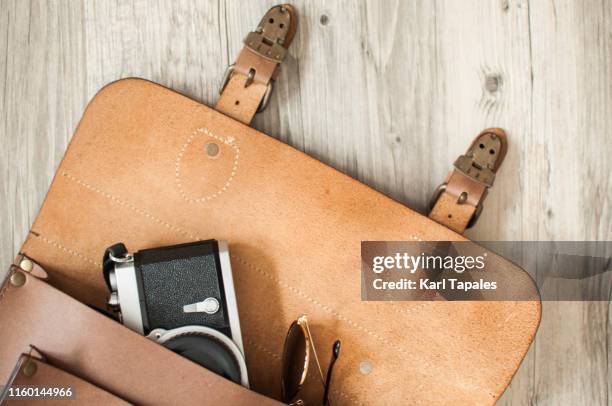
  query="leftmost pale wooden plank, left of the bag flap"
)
[{"x": 42, "y": 99}]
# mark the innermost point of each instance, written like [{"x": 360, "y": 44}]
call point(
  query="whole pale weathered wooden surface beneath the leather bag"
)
[{"x": 389, "y": 92}]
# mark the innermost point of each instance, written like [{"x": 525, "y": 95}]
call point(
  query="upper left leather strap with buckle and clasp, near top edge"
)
[{"x": 248, "y": 82}]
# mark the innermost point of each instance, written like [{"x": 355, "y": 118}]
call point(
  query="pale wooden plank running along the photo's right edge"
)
[{"x": 570, "y": 146}]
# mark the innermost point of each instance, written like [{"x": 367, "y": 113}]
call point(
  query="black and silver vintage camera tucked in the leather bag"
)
[{"x": 182, "y": 297}]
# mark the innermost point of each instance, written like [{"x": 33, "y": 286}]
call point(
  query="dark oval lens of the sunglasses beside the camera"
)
[{"x": 294, "y": 356}]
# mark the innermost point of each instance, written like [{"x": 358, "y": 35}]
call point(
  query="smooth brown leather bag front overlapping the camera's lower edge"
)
[{"x": 99, "y": 350}]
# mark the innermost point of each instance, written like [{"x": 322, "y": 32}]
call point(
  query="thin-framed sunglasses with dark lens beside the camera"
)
[{"x": 296, "y": 357}]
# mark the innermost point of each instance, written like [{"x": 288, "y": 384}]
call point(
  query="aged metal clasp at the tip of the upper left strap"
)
[{"x": 269, "y": 38}]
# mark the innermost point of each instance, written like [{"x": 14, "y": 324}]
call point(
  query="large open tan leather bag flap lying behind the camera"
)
[{"x": 150, "y": 167}]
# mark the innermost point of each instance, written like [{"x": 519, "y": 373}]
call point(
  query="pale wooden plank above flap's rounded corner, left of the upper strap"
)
[{"x": 179, "y": 44}]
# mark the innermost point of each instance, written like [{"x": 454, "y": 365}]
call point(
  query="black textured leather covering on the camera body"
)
[{"x": 175, "y": 276}]
